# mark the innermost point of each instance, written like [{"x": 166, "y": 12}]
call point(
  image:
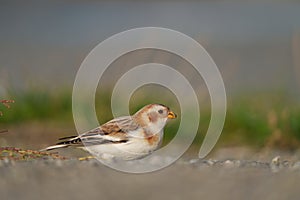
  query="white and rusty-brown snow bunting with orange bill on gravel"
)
[{"x": 125, "y": 138}]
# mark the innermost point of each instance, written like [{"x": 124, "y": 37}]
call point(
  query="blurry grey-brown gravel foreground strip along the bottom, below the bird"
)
[{"x": 185, "y": 179}]
